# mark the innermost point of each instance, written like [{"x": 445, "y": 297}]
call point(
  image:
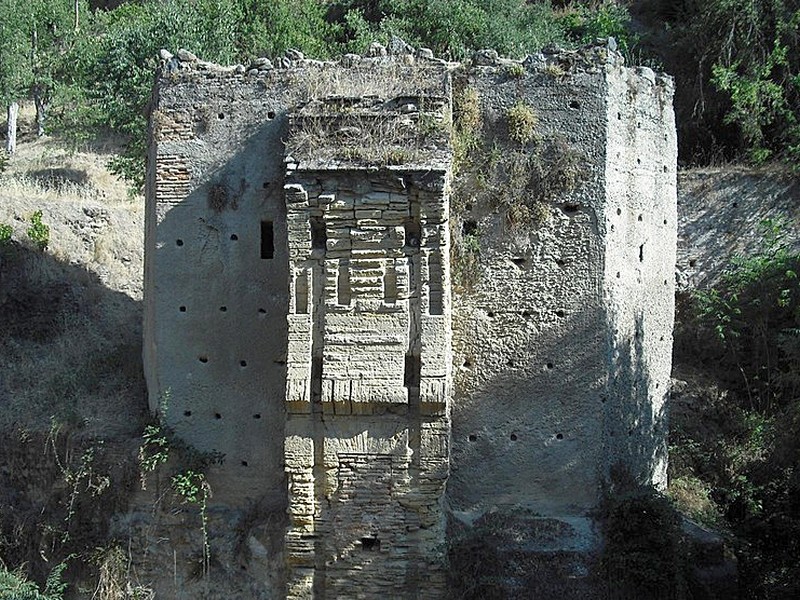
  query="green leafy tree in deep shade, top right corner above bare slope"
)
[{"x": 737, "y": 65}]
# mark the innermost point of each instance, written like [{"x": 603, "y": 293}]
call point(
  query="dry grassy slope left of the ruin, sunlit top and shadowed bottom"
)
[{"x": 71, "y": 383}]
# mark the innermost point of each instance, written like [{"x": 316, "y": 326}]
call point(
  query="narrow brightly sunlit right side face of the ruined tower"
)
[{"x": 640, "y": 223}]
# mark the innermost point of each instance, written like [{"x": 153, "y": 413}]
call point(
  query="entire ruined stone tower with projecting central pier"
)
[{"x": 300, "y": 316}]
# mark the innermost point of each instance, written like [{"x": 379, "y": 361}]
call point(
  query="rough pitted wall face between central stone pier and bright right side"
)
[{"x": 529, "y": 337}]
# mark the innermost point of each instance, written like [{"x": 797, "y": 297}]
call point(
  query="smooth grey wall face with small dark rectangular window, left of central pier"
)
[{"x": 216, "y": 301}]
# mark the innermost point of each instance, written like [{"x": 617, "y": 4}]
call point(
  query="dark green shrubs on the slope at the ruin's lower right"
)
[{"x": 743, "y": 444}]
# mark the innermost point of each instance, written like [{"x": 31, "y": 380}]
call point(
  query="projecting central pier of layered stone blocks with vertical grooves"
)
[{"x": 368, "y": 381}]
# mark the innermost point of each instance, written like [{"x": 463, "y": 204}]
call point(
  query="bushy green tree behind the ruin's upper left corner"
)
[{"x": 115, "y": 60}]
